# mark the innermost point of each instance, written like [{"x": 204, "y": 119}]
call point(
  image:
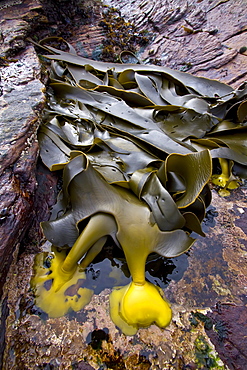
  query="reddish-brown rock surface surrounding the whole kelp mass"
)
[{"x": 210, "y": 288}]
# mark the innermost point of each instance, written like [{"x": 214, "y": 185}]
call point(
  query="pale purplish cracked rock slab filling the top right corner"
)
[{"x": 192, "y": 36}]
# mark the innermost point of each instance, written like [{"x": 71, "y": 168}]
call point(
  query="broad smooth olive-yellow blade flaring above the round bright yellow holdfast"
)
[{"x": 86, "y": 193}]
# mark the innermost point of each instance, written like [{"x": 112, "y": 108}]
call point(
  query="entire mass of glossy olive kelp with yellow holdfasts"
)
[{"x": 135, "y": 144}]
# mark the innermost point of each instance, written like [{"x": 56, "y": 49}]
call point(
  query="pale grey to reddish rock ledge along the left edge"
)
[{"x": 21, "y": 101}]
